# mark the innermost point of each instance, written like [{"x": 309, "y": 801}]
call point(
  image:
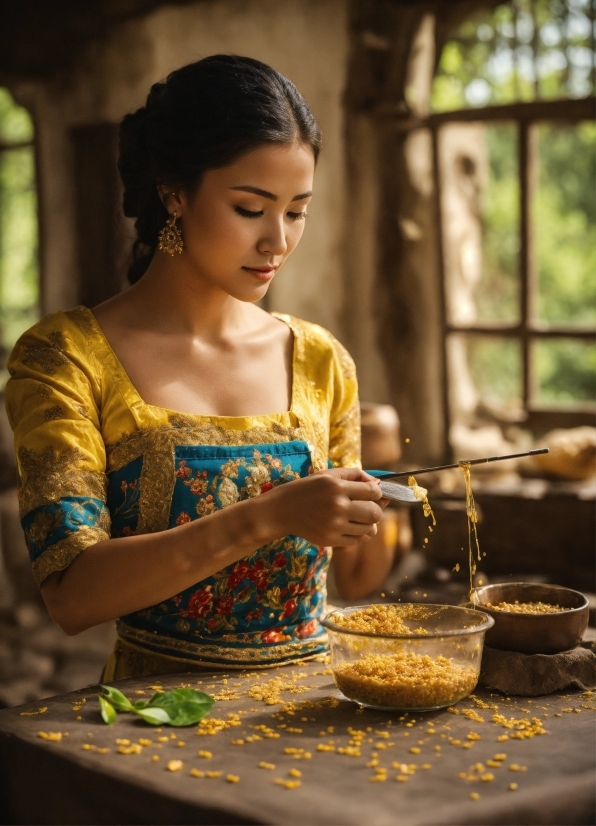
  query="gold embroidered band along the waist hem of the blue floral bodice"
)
[{"x": 258, "y": 653}]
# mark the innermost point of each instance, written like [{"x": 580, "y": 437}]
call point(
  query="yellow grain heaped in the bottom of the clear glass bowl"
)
[{"x": 405, "y": 680}]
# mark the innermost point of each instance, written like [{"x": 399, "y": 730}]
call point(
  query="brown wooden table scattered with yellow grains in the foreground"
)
[{"x": 69, "y": 781}]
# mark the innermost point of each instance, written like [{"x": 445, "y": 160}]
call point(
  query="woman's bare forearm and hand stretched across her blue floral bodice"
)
[{"x": 118, "y": 576}]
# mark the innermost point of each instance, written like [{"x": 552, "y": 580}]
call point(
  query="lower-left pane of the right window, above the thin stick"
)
[{"x": 484, "y": 371}]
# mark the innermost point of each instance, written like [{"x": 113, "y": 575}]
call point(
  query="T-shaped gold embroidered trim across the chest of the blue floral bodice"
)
[{"x": 157, "y": 446}]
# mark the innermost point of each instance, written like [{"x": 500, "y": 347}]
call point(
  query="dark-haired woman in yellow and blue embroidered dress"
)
[{"x": 149, "y": 430}]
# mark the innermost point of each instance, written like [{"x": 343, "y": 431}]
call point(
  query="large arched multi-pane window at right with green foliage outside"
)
[{"x": 515, "y": 146}]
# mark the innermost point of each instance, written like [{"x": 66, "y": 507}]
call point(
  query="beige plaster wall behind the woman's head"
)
[{"x": 306, "y": 40}]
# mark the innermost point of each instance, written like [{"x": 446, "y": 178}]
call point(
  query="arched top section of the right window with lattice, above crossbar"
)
[{"x": 519, "y": 51}]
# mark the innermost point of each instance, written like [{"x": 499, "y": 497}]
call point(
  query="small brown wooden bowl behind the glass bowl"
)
[{"x": 534, "y": 633}]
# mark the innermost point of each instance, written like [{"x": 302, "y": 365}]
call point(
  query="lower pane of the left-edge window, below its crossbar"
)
[{"x": 18, "y": 245}]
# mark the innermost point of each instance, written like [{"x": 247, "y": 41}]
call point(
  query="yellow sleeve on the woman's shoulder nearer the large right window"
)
[{"x": 344, "y": 424}]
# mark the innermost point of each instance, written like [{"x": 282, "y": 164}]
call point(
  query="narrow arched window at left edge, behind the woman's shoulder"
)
[{"x": 19, "y": 271}]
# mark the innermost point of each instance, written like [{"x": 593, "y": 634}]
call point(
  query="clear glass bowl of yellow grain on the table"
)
[{"x": 434, "y": 666}]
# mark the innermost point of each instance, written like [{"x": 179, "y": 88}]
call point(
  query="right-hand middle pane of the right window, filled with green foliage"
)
[{"x": 565, "y": 224}]
